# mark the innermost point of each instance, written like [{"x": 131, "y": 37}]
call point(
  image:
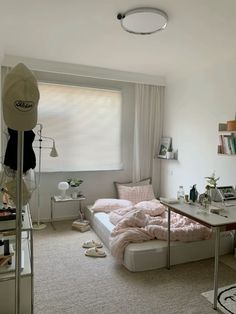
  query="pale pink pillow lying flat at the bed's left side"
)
[{"x": 109, "y": 204}]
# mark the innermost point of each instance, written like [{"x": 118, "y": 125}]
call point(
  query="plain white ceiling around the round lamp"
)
[{"x": 200, "y": 33}]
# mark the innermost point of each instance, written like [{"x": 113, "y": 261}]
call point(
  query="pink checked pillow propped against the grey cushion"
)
[{"x": 136, "y": 194}]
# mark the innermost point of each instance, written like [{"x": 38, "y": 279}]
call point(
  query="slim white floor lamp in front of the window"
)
[{"x": 38, "y": 225}]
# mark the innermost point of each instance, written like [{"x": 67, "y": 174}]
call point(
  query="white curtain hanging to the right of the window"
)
[{"x": 148, "y": 127}]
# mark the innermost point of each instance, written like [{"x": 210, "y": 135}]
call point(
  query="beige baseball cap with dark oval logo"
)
[{"x": 20, "y": 96}]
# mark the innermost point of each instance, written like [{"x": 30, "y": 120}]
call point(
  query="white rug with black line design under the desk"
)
[{"x": 226, "y": 301}]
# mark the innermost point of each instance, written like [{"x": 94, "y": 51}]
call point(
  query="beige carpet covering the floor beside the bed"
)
[{"x": 67, "y": 281}]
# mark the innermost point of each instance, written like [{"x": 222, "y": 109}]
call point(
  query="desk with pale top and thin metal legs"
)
[{"x": 208, "y": 219}]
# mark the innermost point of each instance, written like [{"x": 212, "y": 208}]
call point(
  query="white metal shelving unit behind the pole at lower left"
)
[{"x": 7, "y": 274}]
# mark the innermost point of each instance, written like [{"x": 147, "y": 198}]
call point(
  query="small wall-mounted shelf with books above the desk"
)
[{"x": 227, "y": 141}]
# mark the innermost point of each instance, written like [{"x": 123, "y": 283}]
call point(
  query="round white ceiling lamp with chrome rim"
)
[{"x": 143, "y": 21}]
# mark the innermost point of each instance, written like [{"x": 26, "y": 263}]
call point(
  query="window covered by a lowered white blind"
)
[{"x": 86, "y": 125}]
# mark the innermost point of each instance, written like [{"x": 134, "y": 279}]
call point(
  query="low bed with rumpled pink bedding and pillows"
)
[{"x": 148, "y": 254}]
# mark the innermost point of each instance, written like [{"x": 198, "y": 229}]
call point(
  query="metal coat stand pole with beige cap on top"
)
[{"x": 20, "y": 96}]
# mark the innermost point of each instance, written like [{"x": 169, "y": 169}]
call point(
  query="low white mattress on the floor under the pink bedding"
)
[{"x": 152, "y": 254}]
